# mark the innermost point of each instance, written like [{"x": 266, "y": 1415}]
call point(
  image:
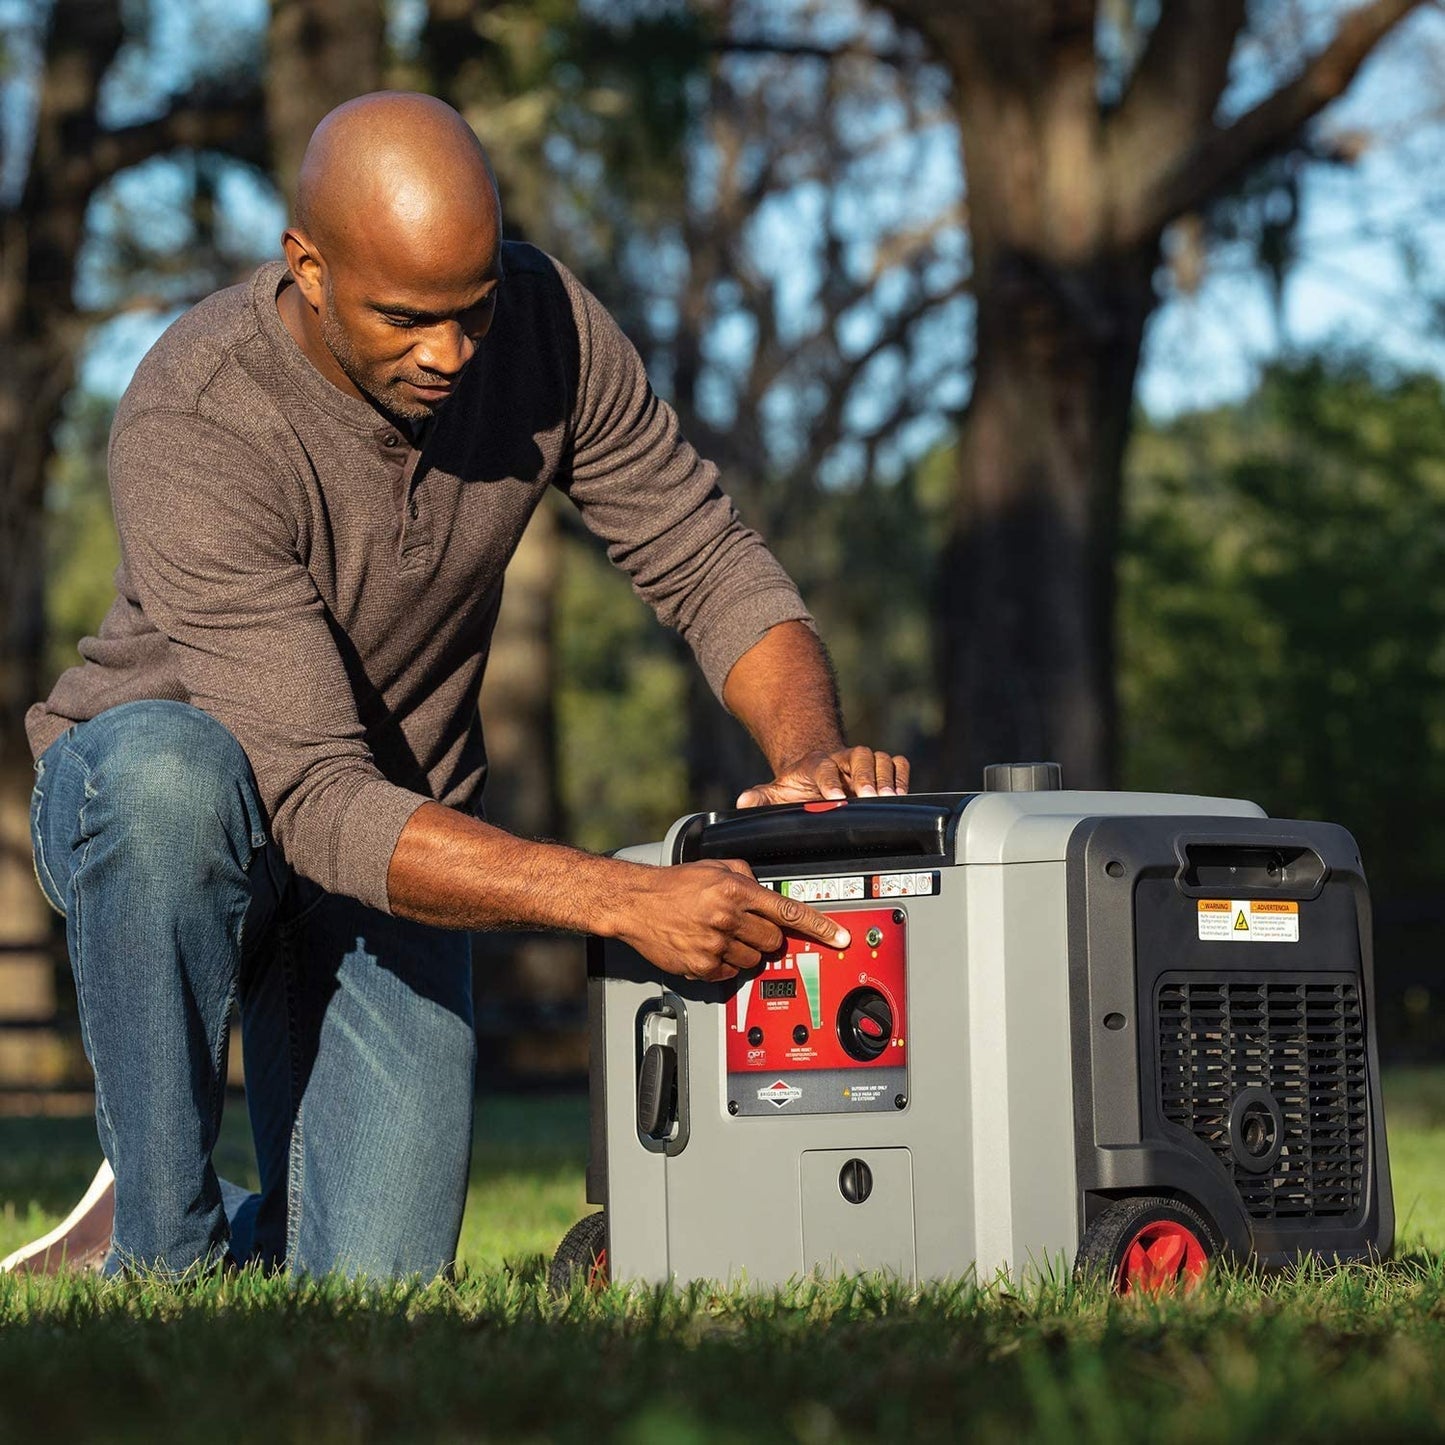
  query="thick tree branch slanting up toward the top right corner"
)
[{"x": 1272, "y": 126}]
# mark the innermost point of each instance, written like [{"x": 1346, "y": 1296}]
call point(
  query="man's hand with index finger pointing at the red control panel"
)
[{"x": 712, "y": 921}]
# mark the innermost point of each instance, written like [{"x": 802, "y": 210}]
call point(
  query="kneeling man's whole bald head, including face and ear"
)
[{"x": 395, "y": 252}]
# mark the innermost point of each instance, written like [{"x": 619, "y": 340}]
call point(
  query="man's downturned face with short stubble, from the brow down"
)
[{"x": 402, "y": 335}]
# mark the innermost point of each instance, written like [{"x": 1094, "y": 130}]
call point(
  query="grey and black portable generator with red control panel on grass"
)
[{"x": 1126, "y": 1032}]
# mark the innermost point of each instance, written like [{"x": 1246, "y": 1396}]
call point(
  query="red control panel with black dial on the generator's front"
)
[{"x": 819, "y": 1008}]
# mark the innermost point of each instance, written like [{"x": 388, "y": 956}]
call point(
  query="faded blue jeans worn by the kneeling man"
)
[{"x": 358, "y": 1031}]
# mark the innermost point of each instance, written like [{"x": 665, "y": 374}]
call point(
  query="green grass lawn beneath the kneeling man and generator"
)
[{"x": 1350, "y": 1355}]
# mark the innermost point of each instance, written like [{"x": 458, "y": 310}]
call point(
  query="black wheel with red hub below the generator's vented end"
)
[{"x": 1149, "y": 1246}]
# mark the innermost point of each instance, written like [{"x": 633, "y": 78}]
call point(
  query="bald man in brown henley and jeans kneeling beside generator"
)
[{"x": 262, "y": 784}]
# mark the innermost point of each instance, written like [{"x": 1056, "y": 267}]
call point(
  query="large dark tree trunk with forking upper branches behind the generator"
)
[{"x": 1067, "y": 206}]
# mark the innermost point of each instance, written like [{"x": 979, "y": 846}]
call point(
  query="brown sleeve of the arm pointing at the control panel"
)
[{"x": 212, "y": 558}]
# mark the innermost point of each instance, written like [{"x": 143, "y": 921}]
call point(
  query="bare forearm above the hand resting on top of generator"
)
[{"x": 784, "y": 693}]
